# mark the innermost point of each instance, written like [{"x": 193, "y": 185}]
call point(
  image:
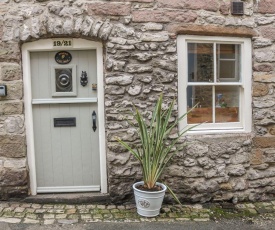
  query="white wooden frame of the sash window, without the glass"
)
[{"x": 245, "y": 110}]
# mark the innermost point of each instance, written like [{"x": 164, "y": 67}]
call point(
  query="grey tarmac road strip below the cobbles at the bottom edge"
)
[{"x": 188, "y": 225}]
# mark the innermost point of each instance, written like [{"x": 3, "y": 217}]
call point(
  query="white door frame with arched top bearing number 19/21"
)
[{"x": 47, "y": 45}]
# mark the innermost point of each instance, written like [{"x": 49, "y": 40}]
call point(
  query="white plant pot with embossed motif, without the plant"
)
[{"x": 148, "y": 203}]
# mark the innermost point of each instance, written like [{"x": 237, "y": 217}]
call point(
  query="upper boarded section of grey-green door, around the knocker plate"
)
[{"x": 43, "y": 62}]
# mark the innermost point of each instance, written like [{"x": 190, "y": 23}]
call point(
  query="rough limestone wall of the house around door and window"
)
[{"x": 140, "y": 62}]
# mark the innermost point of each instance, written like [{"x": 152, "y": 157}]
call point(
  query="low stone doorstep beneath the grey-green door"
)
[{"x": 69, "y": 198}]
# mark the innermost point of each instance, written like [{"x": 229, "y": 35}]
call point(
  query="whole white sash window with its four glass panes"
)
[{"x": 215, "y": 75}]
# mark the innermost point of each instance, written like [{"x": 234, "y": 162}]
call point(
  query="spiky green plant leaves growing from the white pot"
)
[{"x": 156, "y": 149}]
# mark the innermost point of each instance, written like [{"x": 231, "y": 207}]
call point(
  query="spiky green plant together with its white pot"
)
[{"x": 154, "y": 153}]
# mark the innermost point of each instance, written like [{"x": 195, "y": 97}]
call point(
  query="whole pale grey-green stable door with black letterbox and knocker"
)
[{"x": 66, "y": 146}]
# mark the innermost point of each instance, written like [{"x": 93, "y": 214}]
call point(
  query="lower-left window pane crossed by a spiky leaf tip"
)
[{"x": 203, "y": 96}]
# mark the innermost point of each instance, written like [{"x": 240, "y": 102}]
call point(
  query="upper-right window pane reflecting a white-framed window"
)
[{"x": 228, "y": 62}]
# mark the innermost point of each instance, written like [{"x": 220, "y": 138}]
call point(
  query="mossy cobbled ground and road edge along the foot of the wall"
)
[{"x": 30, "y": 216}]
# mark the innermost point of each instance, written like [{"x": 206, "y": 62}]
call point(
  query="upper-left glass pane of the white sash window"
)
[{"x": 200, "y": 62}]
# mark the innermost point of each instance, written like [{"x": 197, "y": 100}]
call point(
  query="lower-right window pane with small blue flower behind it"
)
[{"x": 227, "y": 103}]
